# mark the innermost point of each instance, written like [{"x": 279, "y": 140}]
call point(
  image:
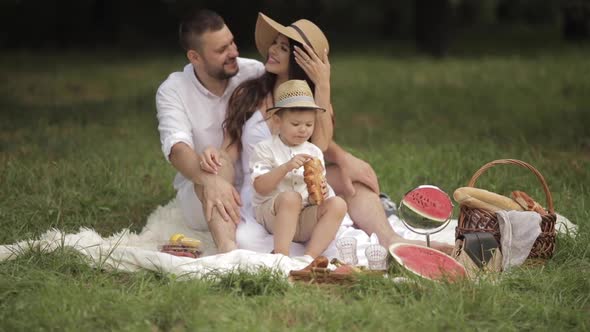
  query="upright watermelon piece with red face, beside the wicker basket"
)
[{"x": 429, "y": 202}]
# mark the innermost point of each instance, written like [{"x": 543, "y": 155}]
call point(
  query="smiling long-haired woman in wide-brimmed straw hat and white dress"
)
[{"x": 287, "y": 56}]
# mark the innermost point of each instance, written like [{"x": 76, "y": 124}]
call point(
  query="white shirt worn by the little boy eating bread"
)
[{"x": 272, "y": 153}]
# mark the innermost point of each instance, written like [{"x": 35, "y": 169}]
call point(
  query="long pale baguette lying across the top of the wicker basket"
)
[{"x": 493, "y": 202}]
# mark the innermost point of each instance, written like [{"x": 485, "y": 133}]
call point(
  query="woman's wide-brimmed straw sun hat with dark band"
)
[{"x": 303, "y": 31}]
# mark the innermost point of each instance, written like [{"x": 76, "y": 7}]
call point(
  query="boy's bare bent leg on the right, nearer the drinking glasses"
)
[{"x": 330, "y": 215}]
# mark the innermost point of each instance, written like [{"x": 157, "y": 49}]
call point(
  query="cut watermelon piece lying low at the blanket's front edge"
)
[{"x": 427, "y": 262}]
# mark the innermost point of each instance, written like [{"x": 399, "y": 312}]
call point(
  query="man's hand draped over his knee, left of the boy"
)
[{"x": 221, "y": 195}]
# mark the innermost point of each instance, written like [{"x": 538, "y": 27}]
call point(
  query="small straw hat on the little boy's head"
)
[{"x": 294, "y": 94}]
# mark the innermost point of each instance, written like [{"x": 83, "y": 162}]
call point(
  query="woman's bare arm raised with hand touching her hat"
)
[{"x": 318, "y": 70}]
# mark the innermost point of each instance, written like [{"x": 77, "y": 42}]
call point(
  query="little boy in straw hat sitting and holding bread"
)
[{"x": 282, "y": 204}]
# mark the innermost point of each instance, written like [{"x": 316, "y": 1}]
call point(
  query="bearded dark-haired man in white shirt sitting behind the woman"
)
[{"x": 191, "y": 108}]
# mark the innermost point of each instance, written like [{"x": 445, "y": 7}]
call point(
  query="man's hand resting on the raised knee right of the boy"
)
[{"x": 354, "y": 169}]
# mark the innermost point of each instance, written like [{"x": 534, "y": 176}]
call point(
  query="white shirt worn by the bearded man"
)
[{"x": 187, "y": 112}]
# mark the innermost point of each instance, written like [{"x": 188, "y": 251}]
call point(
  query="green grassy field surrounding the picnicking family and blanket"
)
[{"x": 79, "y": 147}]
